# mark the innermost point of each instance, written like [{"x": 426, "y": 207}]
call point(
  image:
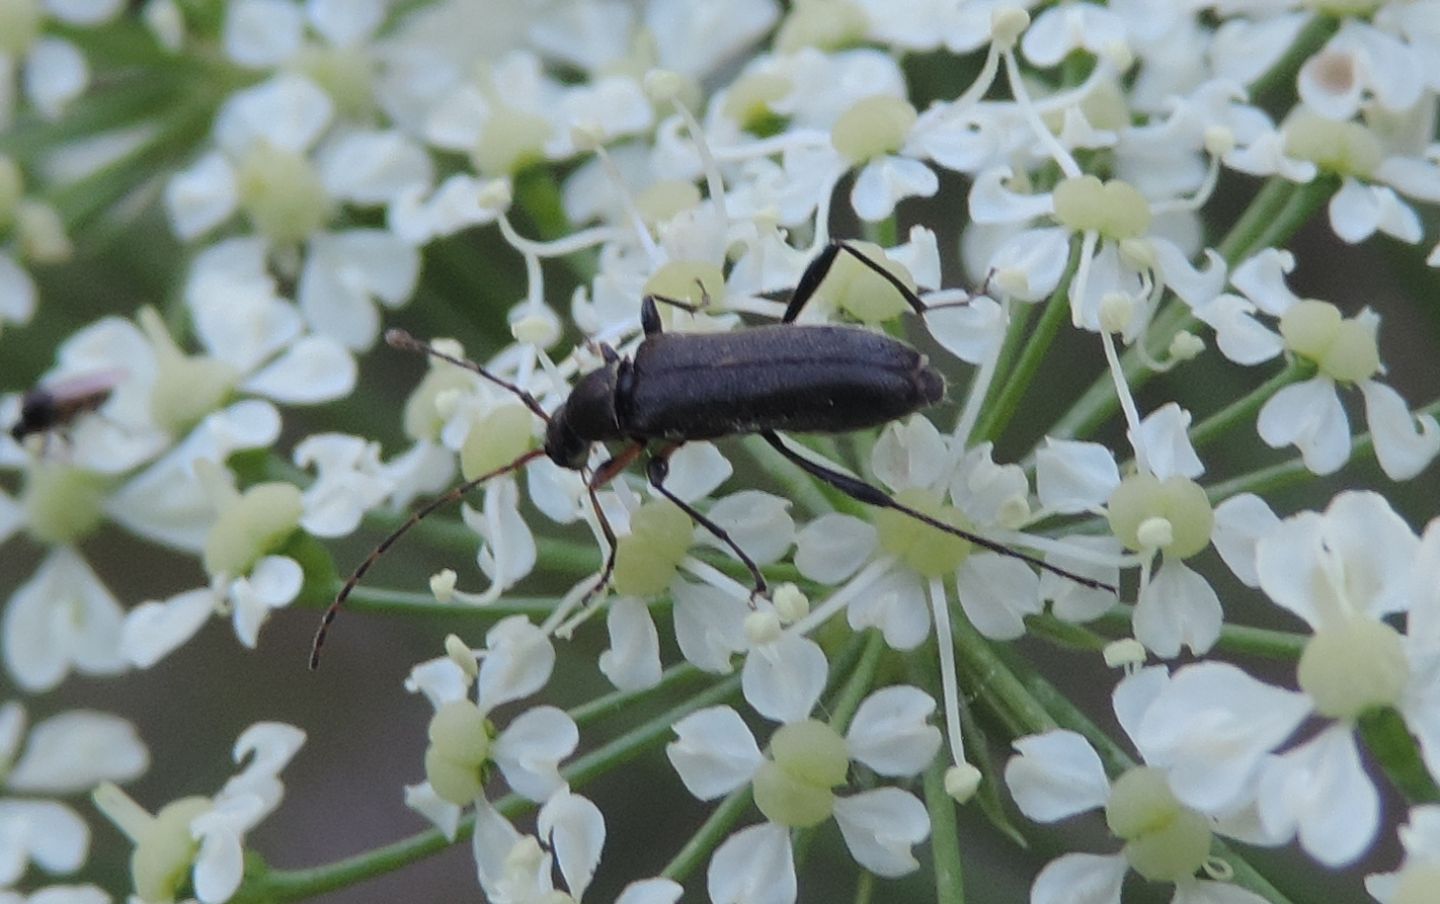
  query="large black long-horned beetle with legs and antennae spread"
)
[{"x": 683, "y": 387}]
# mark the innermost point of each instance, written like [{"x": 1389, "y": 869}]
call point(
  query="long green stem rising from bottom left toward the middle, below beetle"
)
[{"x": 277, "y": 886}]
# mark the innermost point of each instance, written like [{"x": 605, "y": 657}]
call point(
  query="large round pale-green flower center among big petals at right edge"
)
[{"x": 1354, "y": 666}]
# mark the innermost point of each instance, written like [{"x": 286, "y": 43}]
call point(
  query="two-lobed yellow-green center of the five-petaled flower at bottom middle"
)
[{"x": 794, "y": 787}]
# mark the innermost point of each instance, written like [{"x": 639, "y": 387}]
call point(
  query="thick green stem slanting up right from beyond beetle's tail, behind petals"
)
[{"x": 1274, "y": 217}]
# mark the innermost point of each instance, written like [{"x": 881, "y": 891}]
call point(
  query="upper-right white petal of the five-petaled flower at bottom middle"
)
[{"x": 891, "y": 735}]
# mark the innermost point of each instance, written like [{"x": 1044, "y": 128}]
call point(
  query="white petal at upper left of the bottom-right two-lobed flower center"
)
[{"x": 1056, "y": 775}]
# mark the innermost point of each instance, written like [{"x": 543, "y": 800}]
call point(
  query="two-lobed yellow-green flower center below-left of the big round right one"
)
[{"x": 1164, "y": 840}]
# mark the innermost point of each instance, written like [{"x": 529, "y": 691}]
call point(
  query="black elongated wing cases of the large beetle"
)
[{"x": 781, "y": 378}]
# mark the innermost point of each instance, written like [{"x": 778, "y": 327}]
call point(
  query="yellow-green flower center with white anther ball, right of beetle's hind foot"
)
[{"x": 1173, "y": 516}]
